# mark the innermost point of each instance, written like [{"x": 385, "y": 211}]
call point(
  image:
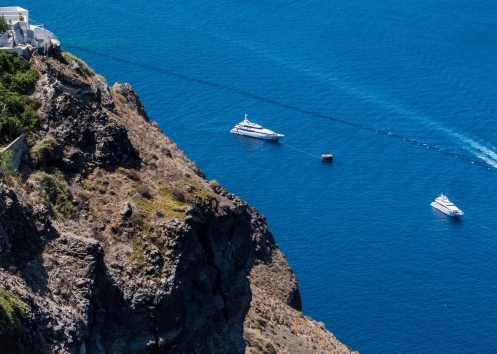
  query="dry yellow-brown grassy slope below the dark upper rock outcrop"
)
[{"x": 159, "y": 188}]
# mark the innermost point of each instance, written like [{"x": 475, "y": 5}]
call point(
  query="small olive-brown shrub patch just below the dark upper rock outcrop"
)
[{"x": 53, "y": 191}]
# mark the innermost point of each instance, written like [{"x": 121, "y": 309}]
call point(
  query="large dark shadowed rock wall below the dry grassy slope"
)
[{"x": 202, "y": 298}]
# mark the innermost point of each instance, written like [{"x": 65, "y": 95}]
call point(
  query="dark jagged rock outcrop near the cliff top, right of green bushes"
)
[{"x": 74, "y": 109}]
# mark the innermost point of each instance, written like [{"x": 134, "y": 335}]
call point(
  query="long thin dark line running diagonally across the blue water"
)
[{"x": 477, "y": 162}]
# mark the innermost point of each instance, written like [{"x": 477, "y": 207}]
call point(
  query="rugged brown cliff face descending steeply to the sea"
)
[{"x": 112, "y": 241}]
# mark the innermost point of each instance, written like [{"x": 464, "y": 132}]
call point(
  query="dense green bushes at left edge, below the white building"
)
[{"x": 17, "y": 110}]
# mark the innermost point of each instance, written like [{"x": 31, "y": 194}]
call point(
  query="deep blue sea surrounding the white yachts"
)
[{"x": 403, "y": 93}]
